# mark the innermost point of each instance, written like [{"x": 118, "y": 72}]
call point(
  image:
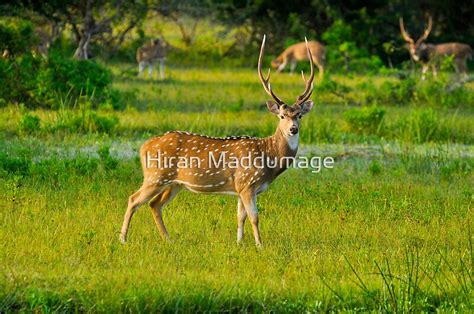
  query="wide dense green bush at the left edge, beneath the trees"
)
[{"x": 36, "y": 82}]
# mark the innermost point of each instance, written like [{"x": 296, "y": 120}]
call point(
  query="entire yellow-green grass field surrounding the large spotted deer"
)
[{"x": 388, "y": 229}]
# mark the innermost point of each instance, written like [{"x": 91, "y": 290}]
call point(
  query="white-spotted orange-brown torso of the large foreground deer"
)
[{"x": 210, "y": 165}]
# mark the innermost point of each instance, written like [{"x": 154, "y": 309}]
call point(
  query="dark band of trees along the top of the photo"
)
[{"x": 370, "y": 26}]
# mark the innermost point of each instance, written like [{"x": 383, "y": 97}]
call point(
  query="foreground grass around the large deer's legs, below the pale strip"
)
[{"x": 346, "y": 238}]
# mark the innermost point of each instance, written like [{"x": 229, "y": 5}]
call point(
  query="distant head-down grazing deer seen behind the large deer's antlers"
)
[{"x": 297, "y": 52}]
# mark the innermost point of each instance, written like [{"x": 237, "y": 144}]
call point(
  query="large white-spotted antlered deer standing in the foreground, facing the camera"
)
[{"x": 163, "y": 178}]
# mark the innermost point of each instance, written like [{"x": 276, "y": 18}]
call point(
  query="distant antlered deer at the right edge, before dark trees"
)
[{"x": 429, "y": 55}]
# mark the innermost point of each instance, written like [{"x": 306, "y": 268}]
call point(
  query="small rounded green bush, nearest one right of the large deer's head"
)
[{"x": 365, "y": 120}]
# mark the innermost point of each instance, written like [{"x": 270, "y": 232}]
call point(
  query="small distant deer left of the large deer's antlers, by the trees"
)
[{"x": 148, "y": 54}]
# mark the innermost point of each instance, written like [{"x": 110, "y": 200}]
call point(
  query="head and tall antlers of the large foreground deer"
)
[{"x": 290, "y": 116}]
